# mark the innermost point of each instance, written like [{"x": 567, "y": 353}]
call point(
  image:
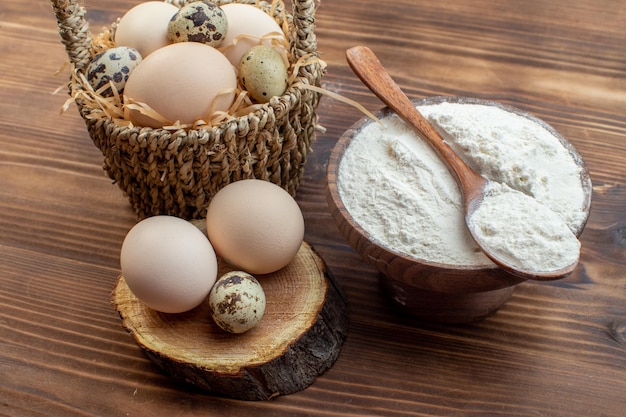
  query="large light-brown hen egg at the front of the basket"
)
[{"x": 182, "y": 82}]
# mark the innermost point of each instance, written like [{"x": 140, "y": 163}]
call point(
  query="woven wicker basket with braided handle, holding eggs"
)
[{"x": 177, "y": 172}]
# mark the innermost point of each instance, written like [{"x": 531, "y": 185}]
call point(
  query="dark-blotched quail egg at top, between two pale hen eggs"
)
[{"x": 199, "y": 21}]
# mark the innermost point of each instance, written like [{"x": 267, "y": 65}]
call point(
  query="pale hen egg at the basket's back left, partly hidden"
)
[{"x": 144, "y": 27}]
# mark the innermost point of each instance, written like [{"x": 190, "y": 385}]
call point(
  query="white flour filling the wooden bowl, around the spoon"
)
[{"x": 396, "y": 187}]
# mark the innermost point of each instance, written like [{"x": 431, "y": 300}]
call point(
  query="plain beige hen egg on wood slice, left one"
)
[{"x": 168, "y": 264}]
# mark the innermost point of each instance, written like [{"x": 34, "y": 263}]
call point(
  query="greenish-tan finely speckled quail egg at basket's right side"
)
[{"x": 263, "y": 73}]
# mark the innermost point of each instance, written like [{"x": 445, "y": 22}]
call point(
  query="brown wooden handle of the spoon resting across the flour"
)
[{"x": 368, "y": 68}]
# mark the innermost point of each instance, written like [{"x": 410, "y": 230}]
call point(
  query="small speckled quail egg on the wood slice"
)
[{"x": 237, "y": 302}]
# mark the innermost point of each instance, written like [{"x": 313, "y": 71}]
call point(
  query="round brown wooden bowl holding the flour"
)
[{"x": 430, "y": 290}]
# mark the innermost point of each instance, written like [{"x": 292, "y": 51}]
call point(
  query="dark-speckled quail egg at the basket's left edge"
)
[{"x": 114, "y": 65}]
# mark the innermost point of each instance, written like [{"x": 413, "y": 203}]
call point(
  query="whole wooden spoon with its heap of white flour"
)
[{"x": 517, "y": 232}]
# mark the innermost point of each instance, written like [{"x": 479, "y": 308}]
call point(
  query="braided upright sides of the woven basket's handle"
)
[{"x": 75, "y": 35}]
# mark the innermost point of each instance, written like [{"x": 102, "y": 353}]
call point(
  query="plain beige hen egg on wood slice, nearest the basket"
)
[{"x": 255, "y": 225}]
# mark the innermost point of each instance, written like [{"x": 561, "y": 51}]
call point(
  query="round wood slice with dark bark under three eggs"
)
[{"x": 299, "y": 337}]
